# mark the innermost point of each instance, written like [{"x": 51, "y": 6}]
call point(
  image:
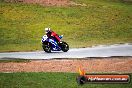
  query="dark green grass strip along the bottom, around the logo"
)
[{"x": 49, "y": 80}]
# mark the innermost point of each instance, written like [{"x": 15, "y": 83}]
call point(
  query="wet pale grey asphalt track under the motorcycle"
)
[{"x": 96, "y": 51}]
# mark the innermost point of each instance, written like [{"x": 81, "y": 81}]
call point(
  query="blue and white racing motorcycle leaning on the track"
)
[{"x": 50, "y": 44}]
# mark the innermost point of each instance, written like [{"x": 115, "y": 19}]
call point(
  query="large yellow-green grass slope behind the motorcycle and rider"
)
[{"x": 100, "y": 22}]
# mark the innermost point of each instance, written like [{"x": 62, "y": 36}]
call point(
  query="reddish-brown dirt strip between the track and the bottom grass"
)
[{"x": 123, "y": 65}]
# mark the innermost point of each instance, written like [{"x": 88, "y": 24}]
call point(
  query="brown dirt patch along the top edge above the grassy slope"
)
[{"x": 48, "y": 2}]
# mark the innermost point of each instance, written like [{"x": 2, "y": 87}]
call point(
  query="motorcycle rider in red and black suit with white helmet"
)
[{"x": 52, "y": 34}]
